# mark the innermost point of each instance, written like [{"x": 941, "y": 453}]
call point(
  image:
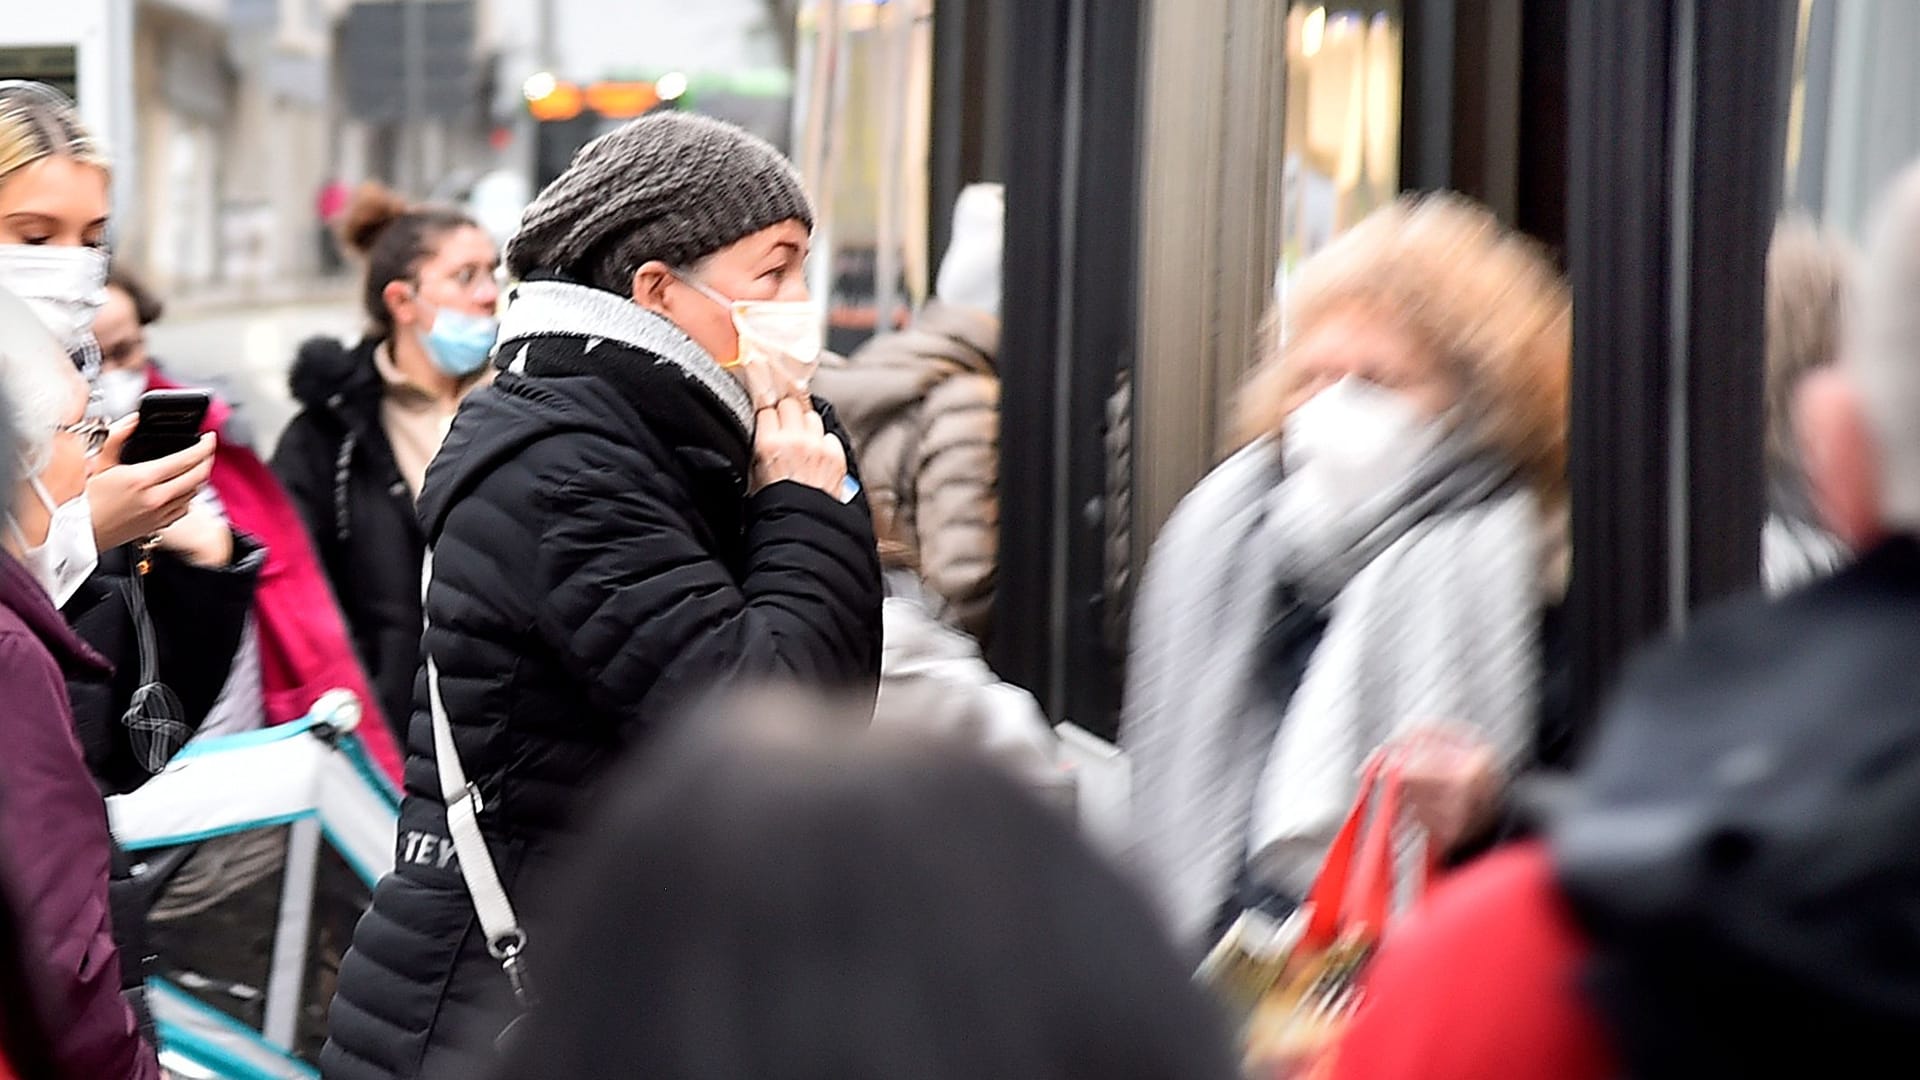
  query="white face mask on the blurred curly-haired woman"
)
[{"x": 1355, "y": 443}]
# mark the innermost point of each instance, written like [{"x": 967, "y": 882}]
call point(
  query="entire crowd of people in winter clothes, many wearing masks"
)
[{"x": 667, "y": 626}]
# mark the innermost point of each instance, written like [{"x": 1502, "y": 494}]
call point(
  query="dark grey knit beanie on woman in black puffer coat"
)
[{"x": 673, "y": 187}]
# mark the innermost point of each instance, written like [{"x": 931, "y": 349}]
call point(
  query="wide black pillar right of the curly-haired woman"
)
[{"x": 1675, "y": 160}]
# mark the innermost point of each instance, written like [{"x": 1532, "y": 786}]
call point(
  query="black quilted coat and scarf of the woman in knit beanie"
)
[{"x": 598, "y": 564}]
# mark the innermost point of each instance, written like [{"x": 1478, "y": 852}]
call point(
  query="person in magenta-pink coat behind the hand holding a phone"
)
[{"x": 299, "y": 645}]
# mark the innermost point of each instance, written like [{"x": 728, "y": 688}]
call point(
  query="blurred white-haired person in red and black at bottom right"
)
[{"x": 1733, "y": 887}]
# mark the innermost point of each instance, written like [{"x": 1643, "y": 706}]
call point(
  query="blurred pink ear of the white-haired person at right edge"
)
[{"x": 1840, "y": 458}]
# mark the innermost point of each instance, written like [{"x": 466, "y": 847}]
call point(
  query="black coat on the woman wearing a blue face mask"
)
[{"x": 339, "y": 470}]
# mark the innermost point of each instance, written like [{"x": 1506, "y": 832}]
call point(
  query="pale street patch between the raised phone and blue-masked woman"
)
[{"x": 249, "y": 351}]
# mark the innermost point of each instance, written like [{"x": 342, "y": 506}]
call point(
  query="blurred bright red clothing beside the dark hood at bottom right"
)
[{"x": 1481, "y": 983}]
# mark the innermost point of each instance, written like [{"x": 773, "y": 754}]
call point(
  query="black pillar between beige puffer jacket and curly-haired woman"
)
[{"x": 1068, "y": 330}]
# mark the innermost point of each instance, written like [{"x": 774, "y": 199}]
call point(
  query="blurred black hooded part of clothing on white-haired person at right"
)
[{"x": 1740, "y": 843}]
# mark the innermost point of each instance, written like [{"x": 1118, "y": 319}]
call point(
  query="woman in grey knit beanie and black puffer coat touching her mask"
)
[{"x": 644, "y": 506}]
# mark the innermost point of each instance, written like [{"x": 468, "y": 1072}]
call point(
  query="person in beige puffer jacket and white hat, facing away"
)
[{"x": 924, "y": 414}]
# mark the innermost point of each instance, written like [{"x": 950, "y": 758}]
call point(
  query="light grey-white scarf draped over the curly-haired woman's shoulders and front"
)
[{"x": 1433, "y": 601}]
